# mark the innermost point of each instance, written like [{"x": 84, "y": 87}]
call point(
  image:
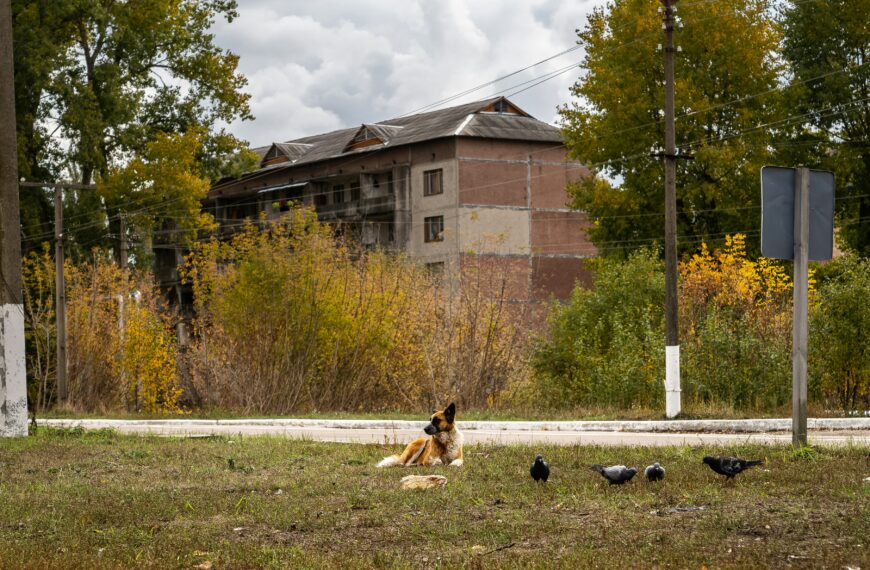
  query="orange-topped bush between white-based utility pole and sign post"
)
[{"x": 735, "y": 328}]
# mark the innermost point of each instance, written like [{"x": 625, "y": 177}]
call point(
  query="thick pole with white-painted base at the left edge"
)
[{"x": 13, "y": 376}]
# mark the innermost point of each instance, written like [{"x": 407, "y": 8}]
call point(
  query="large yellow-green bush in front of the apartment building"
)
[{"x": 294, "y": 318}]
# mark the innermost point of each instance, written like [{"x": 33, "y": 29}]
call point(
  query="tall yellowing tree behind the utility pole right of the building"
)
[{"x": 726, "y": 74}]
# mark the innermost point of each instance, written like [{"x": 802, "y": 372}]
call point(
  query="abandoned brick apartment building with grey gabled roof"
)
[{"x": 480, "y": 185}]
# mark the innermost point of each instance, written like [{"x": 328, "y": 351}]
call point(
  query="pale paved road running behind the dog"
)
[{"x": 383, "y": 433}]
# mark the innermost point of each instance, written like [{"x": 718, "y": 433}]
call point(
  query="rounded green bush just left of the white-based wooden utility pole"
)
[{"x": 605, "y": 346}]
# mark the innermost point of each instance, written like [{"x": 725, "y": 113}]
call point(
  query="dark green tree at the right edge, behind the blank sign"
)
[{"x": 828, "y": 47}]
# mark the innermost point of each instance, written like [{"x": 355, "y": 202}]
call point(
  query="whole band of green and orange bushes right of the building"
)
[{"x": 605, "y": 347}]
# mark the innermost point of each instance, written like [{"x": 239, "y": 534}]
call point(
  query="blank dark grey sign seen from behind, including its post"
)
[{"x": 797, "y": 223}]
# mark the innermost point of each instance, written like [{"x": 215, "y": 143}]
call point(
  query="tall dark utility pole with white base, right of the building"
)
[{"x": 672, "y": 341}]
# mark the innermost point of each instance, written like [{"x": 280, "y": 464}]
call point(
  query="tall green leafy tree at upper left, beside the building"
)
[{"x": 109, "y": 79}]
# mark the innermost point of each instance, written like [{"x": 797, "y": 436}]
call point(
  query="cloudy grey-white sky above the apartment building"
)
[{"x": 319, "y": 65}]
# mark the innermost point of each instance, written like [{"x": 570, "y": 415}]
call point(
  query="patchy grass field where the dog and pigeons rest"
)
[{"x": 99, "y": 500}]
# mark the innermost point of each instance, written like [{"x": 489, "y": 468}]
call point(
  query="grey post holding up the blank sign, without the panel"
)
[{"x": 801, "y": 297}]
